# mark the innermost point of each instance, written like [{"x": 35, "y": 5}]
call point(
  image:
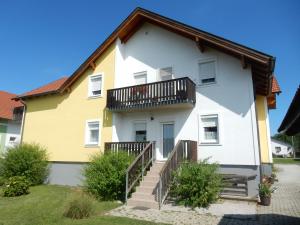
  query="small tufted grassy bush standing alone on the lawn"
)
[{"x": 80, "y": 207}]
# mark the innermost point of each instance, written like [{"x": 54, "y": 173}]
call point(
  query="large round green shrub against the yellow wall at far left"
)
[{"x": 28, "y": 160}]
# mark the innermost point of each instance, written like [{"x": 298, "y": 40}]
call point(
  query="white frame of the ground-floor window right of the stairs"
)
[{"x": 202, "y": 141}]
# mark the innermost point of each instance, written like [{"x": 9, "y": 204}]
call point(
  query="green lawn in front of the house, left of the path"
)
[{"x": 45, "y": 205}]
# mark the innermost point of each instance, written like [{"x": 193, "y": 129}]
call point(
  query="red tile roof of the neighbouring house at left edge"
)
[{"x": 7, "y": 105}]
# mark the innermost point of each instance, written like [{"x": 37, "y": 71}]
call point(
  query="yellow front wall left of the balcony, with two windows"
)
[{"x": 58, "y": 121}]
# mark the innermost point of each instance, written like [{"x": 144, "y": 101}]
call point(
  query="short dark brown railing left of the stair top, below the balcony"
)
[{"x": 134, "y": 148}]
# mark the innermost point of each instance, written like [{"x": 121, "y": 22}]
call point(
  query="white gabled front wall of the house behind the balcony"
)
[{"x": 231, "y": 97}]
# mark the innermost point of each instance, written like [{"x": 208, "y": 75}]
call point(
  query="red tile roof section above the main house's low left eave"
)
[{"x": 45, "y": 89}]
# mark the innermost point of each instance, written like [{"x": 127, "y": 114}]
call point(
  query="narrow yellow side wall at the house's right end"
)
[{"x": 262, "y": 114}]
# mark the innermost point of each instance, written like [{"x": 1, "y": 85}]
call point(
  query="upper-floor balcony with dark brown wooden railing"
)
[{"x": 170, "y": 93}]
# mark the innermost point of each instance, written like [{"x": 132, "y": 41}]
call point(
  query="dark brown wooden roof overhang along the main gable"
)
[{"x": 262, "y": 65}]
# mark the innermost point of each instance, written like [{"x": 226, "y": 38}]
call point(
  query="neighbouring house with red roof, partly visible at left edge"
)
[{"x": 11, "y": 113}]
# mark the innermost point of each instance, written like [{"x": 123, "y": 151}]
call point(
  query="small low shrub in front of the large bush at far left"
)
[{"x": 16, "y": 186}]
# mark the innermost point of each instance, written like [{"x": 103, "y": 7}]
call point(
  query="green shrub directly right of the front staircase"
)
[{"x": 196, "y": 184}]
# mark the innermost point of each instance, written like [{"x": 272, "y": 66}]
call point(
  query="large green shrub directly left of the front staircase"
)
[{"x": 106, "y": 175}]
